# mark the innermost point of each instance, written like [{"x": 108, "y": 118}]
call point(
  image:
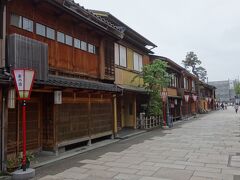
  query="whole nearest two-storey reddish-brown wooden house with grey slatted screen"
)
[{"x": 72, "y": 51}]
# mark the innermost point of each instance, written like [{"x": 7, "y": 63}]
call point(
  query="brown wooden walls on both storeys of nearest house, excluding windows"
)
[{"x": 85, "y": 113}]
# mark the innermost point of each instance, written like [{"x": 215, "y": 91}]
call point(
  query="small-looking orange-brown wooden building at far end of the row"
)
[{"x": 207, "y": 97}]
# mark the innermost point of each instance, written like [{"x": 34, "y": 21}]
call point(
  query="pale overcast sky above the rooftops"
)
[{"x": 210, "y": 28}]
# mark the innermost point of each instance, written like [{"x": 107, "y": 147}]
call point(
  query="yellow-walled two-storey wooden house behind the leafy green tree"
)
[{"x": 131, "y": 55}]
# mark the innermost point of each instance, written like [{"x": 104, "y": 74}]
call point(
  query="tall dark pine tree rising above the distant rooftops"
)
[{"x": 192, "y": 61}]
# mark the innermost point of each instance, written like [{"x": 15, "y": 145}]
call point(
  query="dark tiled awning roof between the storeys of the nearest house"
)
[{"x": 79, "y": 84}]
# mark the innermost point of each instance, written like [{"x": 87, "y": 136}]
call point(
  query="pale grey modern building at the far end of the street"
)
[{"x": 225, "y": 90}]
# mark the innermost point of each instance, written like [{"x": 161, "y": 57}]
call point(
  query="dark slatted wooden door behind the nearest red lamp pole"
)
[{"x": 33, "y": 127}]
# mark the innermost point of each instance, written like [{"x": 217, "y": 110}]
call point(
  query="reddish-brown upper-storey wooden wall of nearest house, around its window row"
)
[{"x": 62, "y": 58}]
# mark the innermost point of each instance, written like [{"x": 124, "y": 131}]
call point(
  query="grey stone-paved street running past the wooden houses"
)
[{"x": 198, "y": 149}]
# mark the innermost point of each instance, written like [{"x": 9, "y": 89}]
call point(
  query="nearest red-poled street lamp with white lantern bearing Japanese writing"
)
[{"x": 23, "y": 79}]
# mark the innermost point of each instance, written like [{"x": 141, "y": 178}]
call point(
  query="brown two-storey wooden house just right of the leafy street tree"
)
[{"x": 182, "y": 91}]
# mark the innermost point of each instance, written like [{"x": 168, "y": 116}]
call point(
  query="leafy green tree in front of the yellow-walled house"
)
[{"x": 155, "y": 78}]
